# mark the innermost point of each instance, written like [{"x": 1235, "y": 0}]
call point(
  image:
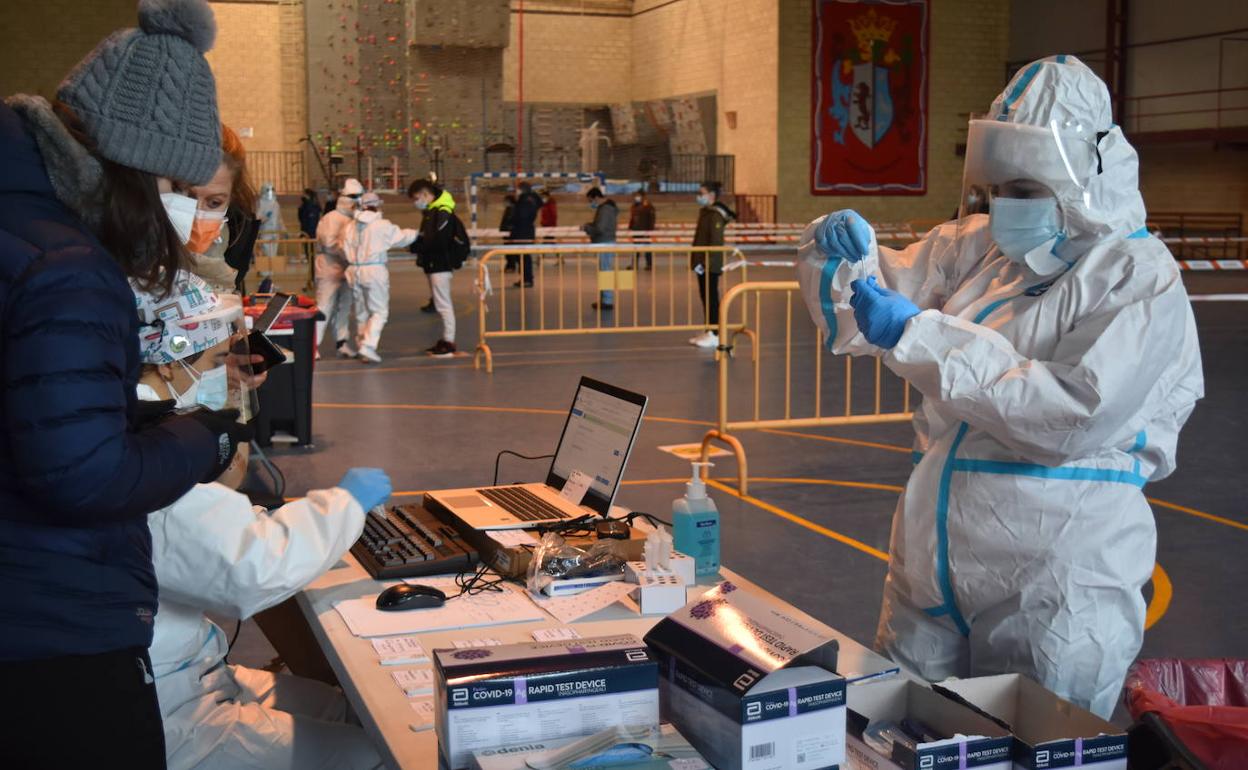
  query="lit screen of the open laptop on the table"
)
[{"x": 597, "y": 440}]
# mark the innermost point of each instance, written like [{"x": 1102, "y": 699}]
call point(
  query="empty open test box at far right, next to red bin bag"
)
[{"x": 1048, "y": 732}]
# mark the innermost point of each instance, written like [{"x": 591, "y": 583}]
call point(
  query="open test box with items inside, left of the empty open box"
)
[{"x": 989, "y": 748}]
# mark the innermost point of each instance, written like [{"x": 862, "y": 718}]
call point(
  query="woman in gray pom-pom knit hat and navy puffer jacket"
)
[{"x": 90, "y": 209}]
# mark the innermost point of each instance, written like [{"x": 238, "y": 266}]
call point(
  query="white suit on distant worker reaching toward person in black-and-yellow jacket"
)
[{"x": 366, "y": 244}]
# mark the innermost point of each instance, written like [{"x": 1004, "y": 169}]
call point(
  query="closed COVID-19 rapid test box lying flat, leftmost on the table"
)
[{"x": 491, "y": 698}]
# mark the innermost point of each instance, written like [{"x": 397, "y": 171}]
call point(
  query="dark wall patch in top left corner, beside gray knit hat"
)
[{"x": 44, "y": 41}]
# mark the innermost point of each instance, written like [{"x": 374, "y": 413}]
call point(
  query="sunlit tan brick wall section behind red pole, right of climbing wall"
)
[{"x": 570, "y": 59}]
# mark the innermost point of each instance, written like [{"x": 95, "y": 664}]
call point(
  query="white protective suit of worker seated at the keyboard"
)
[{"x": 214, "y": 552}]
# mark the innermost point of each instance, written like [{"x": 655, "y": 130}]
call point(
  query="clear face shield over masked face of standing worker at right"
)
[{"x": 1025, "y": 178}]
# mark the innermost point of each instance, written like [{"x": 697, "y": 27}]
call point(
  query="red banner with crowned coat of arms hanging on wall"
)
[{"x": 869, "y": 102}]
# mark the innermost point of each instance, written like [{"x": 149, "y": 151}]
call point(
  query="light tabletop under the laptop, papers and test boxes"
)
[{"x": 384, "y": 708}]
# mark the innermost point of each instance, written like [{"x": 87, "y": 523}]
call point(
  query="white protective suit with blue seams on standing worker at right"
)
[{"x": 1054, "y": 390}]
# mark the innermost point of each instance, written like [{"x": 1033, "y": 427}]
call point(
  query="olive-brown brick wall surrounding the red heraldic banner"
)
[{"x": 968, "y": 53}]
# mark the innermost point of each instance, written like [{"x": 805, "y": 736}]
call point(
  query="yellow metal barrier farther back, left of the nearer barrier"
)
[{"x": 568, "y": 281}]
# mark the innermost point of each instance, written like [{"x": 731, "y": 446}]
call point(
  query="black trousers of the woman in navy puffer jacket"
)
[{"x": 82, "y": 712}]
